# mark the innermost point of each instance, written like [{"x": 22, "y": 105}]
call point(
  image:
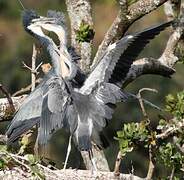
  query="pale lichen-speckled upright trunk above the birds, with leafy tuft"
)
[{"x": 80, "y": 12}]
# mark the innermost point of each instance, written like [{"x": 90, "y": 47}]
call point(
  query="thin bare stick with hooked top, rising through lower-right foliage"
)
[{"x": 151, "y": 164}]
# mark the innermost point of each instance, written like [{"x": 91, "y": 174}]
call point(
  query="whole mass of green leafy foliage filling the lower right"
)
[{"x": 164, "y": 151}]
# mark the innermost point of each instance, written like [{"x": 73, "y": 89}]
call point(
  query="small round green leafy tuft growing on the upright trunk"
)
[{"x": 85, "y": 33}]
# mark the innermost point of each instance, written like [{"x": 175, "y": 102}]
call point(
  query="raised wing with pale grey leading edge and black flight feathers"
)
[{"x": 119, "y": 57}]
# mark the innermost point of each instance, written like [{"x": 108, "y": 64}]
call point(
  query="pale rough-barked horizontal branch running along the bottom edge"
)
[{"x": 68, "y": 174}]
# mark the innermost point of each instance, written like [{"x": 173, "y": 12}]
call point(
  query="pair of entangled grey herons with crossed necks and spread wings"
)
[{"x": 84, "y": 109}]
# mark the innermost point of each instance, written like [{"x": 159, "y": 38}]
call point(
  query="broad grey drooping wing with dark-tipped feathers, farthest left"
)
[{"x": 28, "y": 114}]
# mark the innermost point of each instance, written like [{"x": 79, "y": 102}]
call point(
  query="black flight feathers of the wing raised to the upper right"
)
[{"x": 141, "y": 39}]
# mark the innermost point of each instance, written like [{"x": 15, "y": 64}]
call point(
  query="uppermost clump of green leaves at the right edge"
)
[{"x": 175, "y": 105}]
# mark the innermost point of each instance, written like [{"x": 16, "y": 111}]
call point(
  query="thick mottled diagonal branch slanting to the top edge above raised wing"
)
[{"x": 124, "y": 20}]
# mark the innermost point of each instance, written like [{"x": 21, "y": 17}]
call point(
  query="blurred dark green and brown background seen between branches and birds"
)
[{"x": 16, "y": 46}]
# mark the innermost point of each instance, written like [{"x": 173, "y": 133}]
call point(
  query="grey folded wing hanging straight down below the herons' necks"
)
[{"x": 55, "y": 101}]
